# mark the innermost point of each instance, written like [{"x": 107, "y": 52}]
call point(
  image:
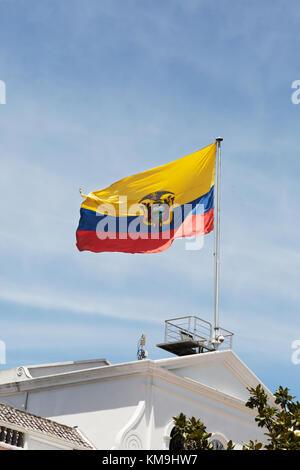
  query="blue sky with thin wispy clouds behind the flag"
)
[{"x": 99, "y": 90}]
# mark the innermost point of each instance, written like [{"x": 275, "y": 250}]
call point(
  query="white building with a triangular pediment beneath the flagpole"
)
[{"x": 131, "y": 405}]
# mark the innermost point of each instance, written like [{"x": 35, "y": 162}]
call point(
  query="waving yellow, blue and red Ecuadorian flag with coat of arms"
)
[{"x": 144, "y": 213}]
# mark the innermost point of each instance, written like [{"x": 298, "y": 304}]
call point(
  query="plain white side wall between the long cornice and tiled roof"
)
[{"x": 100, "y": 409}]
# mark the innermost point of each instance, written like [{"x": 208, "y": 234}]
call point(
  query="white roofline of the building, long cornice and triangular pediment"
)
[{"x": 219, "y": 373}]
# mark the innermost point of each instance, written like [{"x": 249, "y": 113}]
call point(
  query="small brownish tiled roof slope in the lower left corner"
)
[{"x": 47, "y": 427}]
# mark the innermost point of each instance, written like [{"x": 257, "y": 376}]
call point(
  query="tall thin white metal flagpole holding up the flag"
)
[{"x": 217, "y": 240}]
